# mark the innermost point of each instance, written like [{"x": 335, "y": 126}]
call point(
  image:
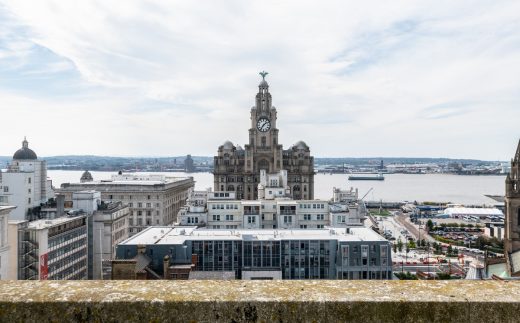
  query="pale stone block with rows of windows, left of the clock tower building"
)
[{"x": 152, "y": 199}]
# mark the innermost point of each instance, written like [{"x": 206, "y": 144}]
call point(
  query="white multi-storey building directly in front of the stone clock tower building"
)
[{"x": 273, "y": 209}]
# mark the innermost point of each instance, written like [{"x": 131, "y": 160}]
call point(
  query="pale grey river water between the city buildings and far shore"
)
[{"x": 395, "y": 187}]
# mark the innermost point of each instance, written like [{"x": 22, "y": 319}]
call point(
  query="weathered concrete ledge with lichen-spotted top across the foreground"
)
[{"x": 260, "y": 301}]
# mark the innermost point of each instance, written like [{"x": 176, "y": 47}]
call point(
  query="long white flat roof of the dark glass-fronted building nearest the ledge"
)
[{"x": 164, "y": 235}]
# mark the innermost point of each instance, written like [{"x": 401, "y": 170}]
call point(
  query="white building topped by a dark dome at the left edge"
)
[{"x": 24, "y": 184}]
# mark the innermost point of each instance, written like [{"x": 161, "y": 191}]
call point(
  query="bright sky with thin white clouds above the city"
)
[{"x": 350, "y": 78}]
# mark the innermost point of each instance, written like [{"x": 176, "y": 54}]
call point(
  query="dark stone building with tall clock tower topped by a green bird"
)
[{"x": 237, "y": 169}]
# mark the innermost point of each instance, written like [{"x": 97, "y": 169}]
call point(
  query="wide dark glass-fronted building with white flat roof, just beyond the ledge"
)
[{"x": 335, "y": 253}]
